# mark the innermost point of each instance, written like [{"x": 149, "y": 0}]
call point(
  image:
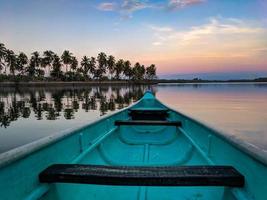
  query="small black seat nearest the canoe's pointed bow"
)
[{"x": 148, "y": 114}]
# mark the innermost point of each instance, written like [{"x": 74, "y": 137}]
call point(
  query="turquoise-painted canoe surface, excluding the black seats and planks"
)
[{"x": 102, "y": 143}]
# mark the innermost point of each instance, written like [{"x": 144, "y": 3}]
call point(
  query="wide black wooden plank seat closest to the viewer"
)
[{"x": 143, "y": 176}]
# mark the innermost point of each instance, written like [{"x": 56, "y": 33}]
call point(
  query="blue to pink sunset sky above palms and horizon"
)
[{"x": 209, "y": 38}]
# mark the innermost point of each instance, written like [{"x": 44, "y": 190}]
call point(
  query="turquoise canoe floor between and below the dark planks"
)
[{"x": 141, "y": 146}]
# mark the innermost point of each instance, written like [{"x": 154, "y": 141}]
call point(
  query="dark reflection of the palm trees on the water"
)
[{"x": 51, "y": 104}]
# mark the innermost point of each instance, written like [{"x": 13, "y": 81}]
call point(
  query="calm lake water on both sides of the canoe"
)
[{"x": 27, "y": 114}]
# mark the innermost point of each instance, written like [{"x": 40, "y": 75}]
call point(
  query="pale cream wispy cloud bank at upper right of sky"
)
[{"x": 216, "y": 27}]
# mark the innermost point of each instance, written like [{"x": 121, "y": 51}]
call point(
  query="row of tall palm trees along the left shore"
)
[{"x": 50, "y": 66}]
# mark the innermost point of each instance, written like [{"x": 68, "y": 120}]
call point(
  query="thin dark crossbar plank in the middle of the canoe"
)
[{"x": 148, "y": 122}]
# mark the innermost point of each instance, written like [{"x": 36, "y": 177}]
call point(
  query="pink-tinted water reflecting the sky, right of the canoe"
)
[{"x": 237, "y": 109}]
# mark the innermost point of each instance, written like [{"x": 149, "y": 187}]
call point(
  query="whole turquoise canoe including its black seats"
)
[{"x": 145, "y": 151}]
